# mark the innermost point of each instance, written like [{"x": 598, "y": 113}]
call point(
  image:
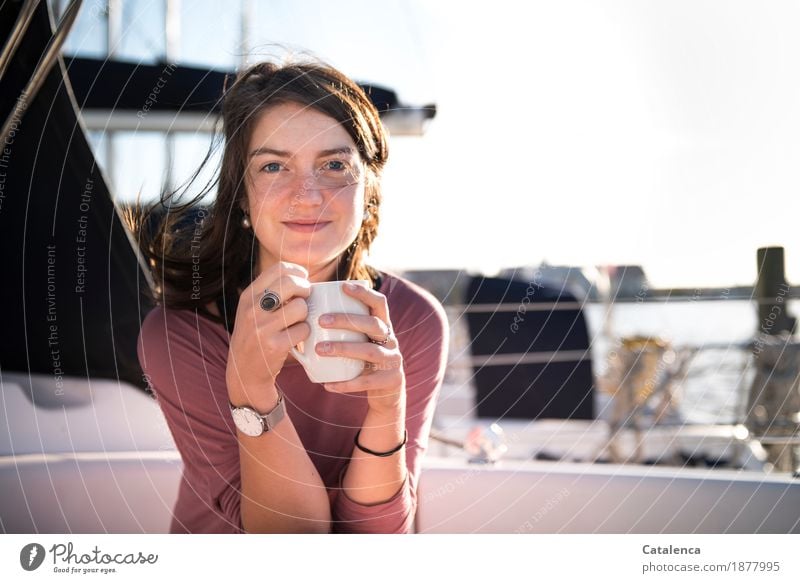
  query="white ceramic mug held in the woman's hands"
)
[{"x": 328, "y": 298}]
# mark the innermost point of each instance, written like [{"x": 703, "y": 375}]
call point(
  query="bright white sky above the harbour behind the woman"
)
[{"x": 578, "y": 132}]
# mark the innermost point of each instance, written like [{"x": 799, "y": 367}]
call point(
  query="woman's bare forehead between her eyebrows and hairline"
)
[{"x": 295, "y": 128}]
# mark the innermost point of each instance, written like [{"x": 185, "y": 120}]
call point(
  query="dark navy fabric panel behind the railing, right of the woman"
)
[{"x": 529, "y": 391}]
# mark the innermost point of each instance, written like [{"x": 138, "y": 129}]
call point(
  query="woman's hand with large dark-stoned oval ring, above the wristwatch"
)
[{"x": 261, "y": 340}]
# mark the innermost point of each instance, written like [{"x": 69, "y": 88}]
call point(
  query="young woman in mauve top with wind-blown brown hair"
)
[{"x": 298, "y": 197}]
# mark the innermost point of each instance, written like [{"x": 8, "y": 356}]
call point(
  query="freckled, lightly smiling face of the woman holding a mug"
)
[{"x": 305, "y": 188}]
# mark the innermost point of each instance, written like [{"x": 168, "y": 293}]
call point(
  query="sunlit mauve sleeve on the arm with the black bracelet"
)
[{"x": 424, "y": 348}]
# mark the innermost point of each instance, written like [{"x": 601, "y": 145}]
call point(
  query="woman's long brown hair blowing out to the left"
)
[{"x": 200, "y": 256}]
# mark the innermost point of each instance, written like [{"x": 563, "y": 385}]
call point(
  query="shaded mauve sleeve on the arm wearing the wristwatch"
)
[{"x": 185, "y": 366}]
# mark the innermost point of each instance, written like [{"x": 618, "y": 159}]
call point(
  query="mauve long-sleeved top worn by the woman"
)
[{"x": 184, "y": 356}]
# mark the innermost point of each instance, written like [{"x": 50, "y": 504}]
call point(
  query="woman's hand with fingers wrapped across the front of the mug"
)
[{"x": 383, "y": 378}]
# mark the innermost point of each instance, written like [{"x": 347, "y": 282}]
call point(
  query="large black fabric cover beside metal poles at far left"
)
[{"x": 56, "y": 218}]
